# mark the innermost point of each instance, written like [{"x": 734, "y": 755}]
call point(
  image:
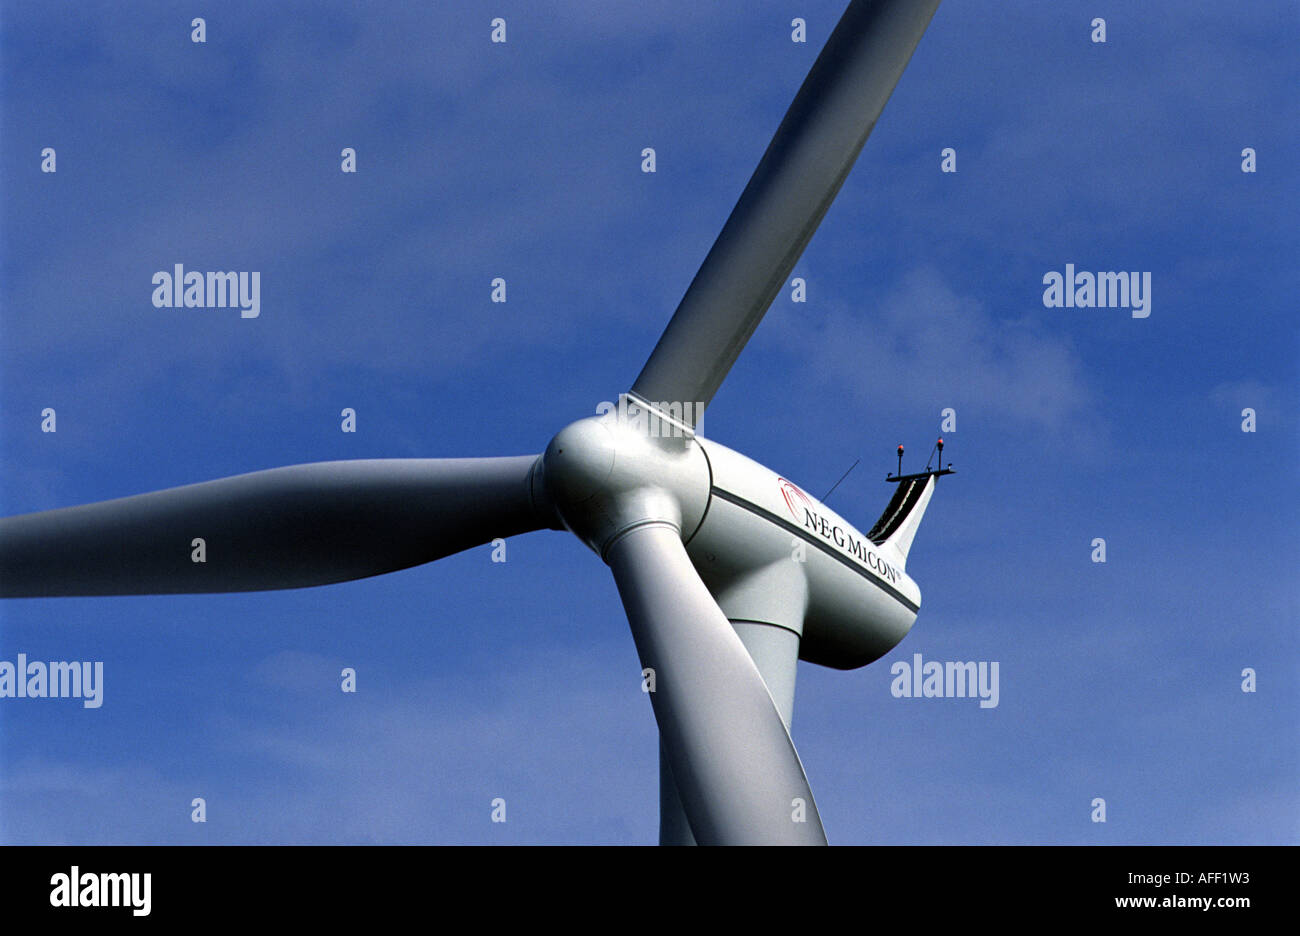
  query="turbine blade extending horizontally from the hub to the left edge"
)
[{"x": 284, "y": 528}]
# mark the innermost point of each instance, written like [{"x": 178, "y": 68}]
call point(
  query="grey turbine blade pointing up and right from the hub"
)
[{"x": 800, "y": 175}]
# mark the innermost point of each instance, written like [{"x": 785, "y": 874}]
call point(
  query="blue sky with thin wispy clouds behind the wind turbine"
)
[{"x": 521, "y": 681}]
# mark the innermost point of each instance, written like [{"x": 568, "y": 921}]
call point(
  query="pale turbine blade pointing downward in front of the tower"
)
[{"x": 733, "y": 760}]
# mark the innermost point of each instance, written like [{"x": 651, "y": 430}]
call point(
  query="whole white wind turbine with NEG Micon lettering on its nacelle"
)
[{"x": 729, "y": 573}]
